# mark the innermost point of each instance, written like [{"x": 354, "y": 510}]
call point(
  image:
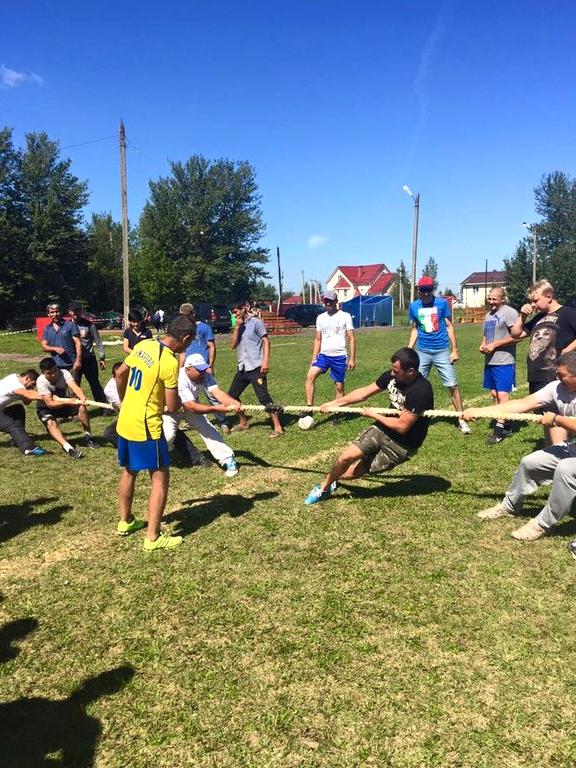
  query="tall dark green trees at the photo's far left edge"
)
[{"x": 42, "y": 243}]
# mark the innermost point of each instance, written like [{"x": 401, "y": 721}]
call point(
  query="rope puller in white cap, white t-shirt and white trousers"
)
[{"x": 192, "y": 381}]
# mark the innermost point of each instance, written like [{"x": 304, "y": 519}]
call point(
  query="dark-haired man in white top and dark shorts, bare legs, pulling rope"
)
[{"x": 53, "y": 384}]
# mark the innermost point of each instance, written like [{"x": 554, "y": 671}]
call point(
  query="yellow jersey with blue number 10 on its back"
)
[{"x": 153, "y": 368}]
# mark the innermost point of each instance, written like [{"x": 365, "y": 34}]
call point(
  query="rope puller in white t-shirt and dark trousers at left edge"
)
[{"x": 15, "y": 388}]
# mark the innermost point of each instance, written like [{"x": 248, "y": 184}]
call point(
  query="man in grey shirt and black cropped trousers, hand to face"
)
[{"x": 252, "y": 345}]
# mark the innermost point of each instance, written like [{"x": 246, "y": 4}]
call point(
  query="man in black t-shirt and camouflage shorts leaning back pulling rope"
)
[{"x": 391, "y": 440}]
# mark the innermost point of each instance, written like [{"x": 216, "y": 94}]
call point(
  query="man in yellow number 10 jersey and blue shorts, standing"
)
[{"x": 147, "y": 385}]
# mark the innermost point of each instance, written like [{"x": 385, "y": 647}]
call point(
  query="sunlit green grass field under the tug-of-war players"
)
[{"x": 387, "y": 626}]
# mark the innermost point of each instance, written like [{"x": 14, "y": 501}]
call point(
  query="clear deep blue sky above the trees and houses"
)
[{"x": 335, "y": 104}]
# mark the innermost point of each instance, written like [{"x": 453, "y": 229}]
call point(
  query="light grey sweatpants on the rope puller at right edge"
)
[{"x": 556, "y": 463}]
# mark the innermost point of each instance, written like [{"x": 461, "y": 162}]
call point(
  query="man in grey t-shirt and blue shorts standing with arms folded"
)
[{"x": 499, "y": 349}]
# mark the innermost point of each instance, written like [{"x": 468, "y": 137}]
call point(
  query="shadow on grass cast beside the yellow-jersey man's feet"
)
[{"x": 204, "y": 511}]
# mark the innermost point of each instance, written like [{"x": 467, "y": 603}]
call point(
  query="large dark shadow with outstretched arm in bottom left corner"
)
[{"x": 38, "y": 731}]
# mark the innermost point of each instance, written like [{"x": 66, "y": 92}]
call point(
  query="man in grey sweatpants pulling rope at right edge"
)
[{"x": 556, "y": 463}]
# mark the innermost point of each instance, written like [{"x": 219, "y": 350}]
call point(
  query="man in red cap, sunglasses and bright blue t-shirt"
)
[{"x": 432, "y": 329}]
